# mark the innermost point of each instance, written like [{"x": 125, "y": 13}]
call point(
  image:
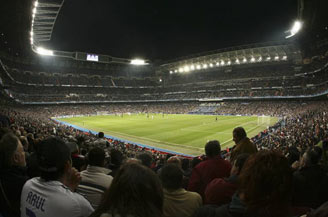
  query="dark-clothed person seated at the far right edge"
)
[{"x": 310, "y": 181}]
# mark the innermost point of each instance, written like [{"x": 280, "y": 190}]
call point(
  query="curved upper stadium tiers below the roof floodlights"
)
[{"x": 64, "y": 81}]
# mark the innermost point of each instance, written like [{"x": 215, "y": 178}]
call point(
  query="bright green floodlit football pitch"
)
[{"x": 185, "y": 134}]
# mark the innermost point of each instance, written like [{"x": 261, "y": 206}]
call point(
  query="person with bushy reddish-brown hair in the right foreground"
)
[{"x": 265, "y": 185}]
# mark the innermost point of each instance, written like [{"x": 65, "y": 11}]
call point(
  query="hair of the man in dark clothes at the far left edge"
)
[{"x": 8, "y": 146}]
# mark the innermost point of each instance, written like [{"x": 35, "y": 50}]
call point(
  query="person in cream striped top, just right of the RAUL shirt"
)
[{"x": 95, "y": 179}]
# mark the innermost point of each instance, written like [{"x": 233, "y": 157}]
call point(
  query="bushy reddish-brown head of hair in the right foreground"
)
[{"x": 266, "y": 183}]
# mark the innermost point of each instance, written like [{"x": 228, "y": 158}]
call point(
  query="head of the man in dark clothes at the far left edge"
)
[{"x": 11, "y": 152}]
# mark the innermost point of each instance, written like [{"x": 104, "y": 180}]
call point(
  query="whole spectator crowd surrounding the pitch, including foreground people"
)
[{"x": 49, "y": 169}]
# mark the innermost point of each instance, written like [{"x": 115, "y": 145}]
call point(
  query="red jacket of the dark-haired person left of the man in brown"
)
[{"x": 206, "y": 171}]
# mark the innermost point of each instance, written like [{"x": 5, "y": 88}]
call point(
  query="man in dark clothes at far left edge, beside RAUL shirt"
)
[{"x": 12, "y": 174}]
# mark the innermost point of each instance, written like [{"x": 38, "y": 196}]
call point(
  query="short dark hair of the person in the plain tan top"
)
[{"x": 171, "y": 176}]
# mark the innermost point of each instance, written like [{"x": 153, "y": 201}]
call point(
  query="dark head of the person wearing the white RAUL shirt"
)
[{"x": 54, "y": 159}]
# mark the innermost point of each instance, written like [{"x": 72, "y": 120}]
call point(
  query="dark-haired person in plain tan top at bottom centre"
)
[{"x": 177, "y": 201}]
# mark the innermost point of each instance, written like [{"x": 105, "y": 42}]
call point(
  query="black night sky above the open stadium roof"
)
[{"x": 166, "y": 29}]
